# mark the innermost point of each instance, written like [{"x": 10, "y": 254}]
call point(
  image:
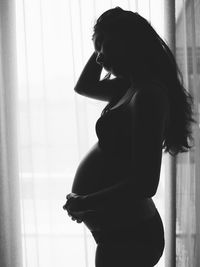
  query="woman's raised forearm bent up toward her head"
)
[{"x": 89, "y": 76}]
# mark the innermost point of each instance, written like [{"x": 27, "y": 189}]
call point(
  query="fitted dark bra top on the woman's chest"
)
[{"x": 113, "y": 130}]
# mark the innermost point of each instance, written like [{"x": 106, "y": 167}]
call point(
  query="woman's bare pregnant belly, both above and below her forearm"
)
[{"x": 97, "y": 171}]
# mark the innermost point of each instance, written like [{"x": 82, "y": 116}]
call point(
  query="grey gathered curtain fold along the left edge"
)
[{"x": 10, "y": 212}]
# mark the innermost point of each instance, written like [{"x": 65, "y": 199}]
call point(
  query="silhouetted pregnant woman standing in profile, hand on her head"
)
[{"x": 148, "y": 111}]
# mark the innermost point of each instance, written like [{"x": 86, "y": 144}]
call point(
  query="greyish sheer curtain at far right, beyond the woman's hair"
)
[{"x": 188, "y": 172}]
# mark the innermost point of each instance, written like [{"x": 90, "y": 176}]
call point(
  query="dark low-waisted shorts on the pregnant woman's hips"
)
[{"x": 148, "y": 232}]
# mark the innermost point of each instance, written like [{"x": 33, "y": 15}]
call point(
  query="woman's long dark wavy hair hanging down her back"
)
[{"x": 149, "y": 56}]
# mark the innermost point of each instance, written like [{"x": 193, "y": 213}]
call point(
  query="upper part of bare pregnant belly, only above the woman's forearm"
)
[{"x": 98, "y": 170}]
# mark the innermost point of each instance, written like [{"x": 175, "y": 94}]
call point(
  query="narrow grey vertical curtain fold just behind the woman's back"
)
[{"x": 170, "y": 163}]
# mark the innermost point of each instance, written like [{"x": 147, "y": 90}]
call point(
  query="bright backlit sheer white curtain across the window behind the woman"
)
[{"x": 55, "y": 126}]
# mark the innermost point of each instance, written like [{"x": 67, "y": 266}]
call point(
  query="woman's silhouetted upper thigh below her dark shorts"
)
[{"x": 125, "y": 255}]
